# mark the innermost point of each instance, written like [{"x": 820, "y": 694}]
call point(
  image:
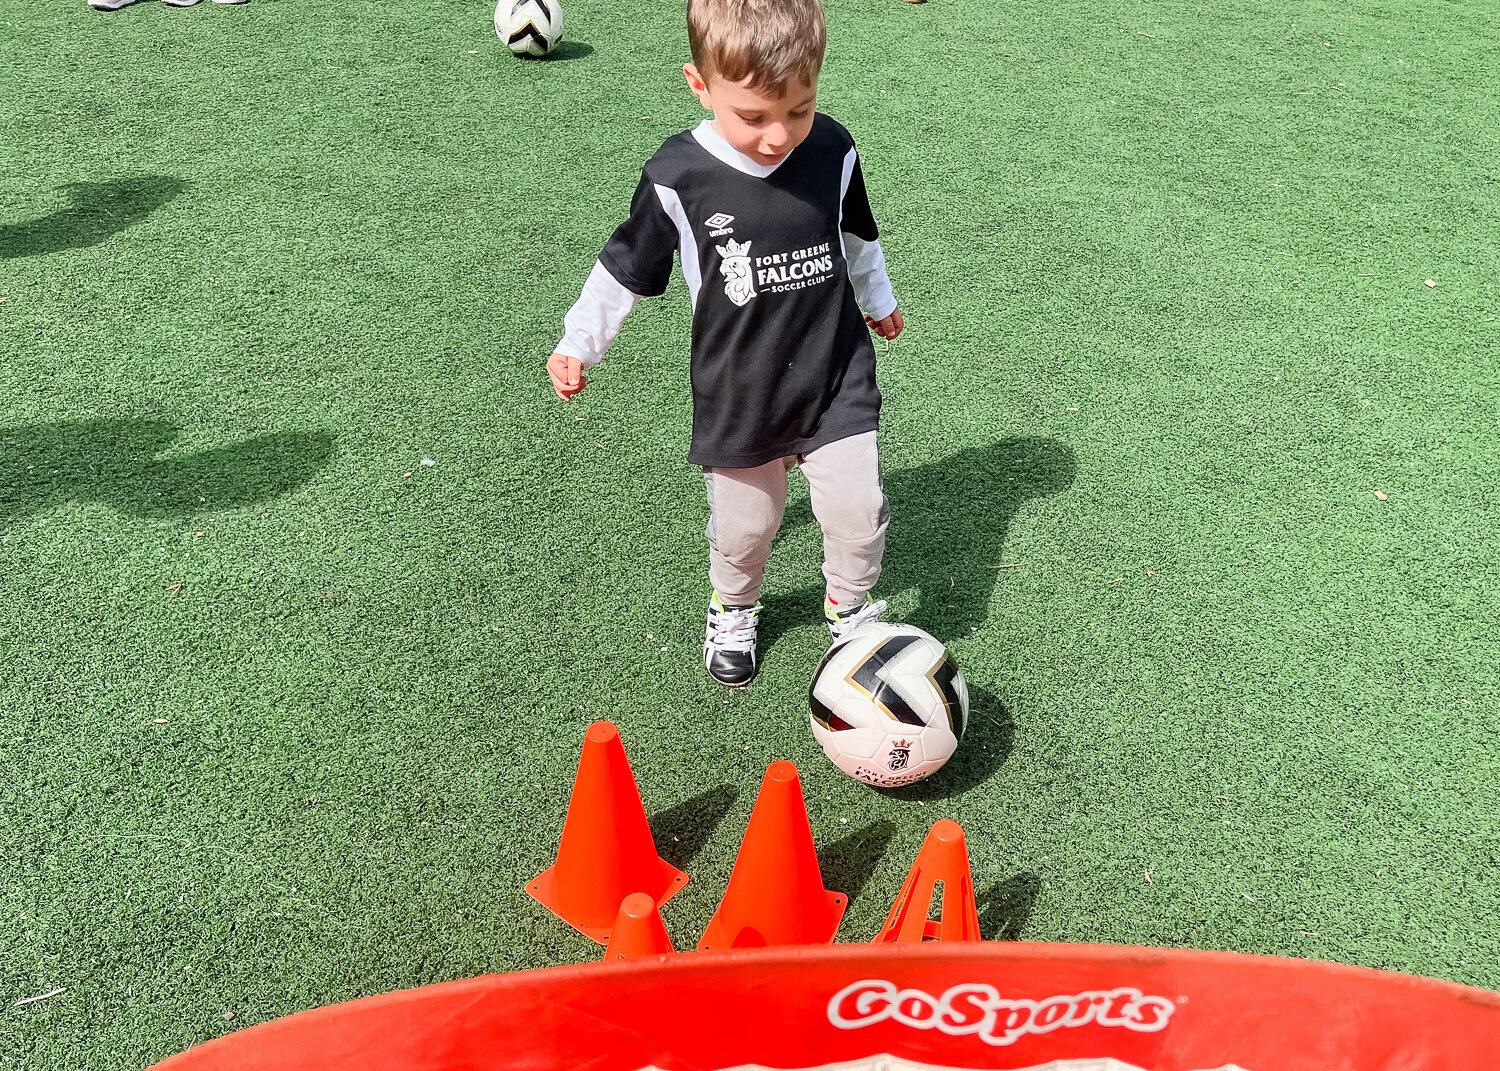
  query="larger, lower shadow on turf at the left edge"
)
[{"x": 116, "y": 463}]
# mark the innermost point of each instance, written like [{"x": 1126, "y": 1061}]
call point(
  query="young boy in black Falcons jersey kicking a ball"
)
[{"x": 767, "y": 212}]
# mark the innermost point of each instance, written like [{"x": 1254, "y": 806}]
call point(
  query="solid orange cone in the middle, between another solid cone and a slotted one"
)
[{"x": 776, "y": 893}]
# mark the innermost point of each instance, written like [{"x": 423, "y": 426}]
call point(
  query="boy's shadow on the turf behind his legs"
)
[{"x": 949, "y": 527}]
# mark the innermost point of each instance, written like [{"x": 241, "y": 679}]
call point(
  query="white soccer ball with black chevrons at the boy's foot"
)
[{"x": 889, "y": 704}]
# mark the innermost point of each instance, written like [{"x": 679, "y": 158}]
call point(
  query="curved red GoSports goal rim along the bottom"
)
[{"x": 896, "y": 1009}]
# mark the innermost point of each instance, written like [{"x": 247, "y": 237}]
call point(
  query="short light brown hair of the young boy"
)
[{"x": 775, "y": 43}]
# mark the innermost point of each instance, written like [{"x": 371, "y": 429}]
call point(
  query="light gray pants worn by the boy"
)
[{"x": 746, "y": 508}]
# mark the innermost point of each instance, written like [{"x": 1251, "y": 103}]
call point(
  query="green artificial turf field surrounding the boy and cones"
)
[{"x": 289, "y": 716}]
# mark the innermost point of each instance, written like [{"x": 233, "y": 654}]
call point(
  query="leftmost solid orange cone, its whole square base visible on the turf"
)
[{"x": 607, "y": 850}]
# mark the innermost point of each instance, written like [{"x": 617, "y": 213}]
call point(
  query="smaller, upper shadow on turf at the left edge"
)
[{"x": 95, "y": 212}]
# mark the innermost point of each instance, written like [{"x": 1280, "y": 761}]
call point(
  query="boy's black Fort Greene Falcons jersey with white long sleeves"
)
[{"x": 782, "y": 361}]
